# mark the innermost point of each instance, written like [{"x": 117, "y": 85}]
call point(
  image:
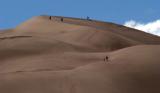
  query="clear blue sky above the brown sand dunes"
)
[{"x": 14, "y": 12}]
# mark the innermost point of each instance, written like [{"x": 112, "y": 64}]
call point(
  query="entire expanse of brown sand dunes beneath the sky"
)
[{"x": 54, "y": 54}]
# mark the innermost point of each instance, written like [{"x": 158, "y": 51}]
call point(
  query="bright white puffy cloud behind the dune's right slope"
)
[{"x": 151, "y": 27}]
